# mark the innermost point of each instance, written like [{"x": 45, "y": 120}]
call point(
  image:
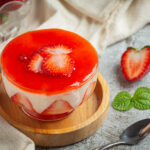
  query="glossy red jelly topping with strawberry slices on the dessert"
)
[{"x": 56, "y": 60}]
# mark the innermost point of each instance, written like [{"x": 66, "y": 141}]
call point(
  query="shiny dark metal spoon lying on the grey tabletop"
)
[{"x": 132, "y": 135}]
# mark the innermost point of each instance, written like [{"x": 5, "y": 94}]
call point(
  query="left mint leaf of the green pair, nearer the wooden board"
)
[{"x": 122, "y": 101}]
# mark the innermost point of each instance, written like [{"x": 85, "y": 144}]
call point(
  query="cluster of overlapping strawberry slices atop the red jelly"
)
[{"x": 52, "y": 60}]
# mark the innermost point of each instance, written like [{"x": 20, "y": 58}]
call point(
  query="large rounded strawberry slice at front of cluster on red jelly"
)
[{"x": 59, "y": 64}]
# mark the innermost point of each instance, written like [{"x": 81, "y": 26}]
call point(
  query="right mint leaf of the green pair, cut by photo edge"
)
[{"x": 141, "y": 98}]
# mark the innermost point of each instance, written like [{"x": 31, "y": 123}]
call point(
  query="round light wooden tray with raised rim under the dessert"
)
[{"x": 83, "y": 122}]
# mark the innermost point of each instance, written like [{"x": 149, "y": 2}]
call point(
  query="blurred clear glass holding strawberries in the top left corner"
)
[{"x": 12, "y": 12}]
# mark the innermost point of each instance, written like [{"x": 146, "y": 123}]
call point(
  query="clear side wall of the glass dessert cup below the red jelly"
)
[{"x": 29, "y": 101}]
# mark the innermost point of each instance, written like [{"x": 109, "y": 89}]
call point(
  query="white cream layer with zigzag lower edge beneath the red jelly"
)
[{"x": 41, "y": 102}]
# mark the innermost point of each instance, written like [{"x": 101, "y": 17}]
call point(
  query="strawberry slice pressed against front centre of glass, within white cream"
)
[{"x": 58, "y": 107}]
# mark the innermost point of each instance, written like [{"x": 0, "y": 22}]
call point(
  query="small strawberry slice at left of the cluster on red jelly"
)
[{"x": 35, "y": 62}]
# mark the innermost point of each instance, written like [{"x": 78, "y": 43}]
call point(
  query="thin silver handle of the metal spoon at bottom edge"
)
[{"x": 120, "y": 142}]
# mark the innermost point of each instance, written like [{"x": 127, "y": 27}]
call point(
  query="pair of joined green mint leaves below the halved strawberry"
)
[{"x": 140, "y": 100}]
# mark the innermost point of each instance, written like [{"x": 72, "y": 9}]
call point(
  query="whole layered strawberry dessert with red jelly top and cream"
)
[{"x": 48, "y": 73}]
